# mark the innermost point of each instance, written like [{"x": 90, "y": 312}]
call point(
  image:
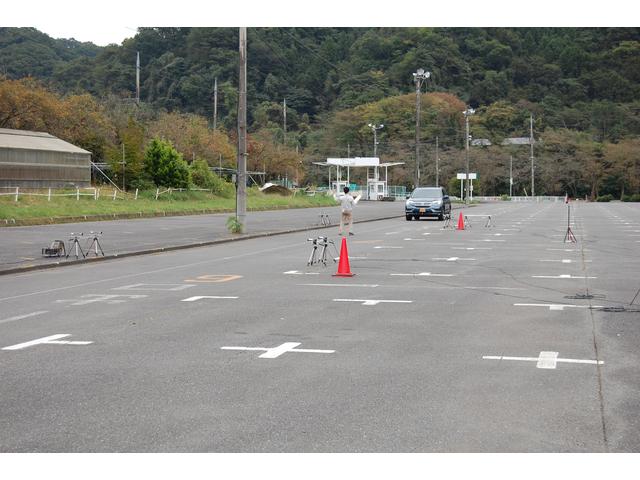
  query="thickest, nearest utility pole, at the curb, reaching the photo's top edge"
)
[{"x": 241, "y": 176}]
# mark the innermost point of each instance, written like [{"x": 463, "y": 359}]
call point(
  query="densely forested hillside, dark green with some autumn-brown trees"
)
[{"x": 580, "y": 84}]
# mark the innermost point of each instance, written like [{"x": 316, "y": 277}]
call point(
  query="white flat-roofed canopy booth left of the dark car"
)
[{"x": 376, "y": 188}]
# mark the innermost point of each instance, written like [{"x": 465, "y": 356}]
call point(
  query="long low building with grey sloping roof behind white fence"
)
[{"x": 40, "y": 160}]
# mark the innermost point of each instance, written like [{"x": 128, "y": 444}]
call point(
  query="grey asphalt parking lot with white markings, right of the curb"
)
[{"x": 492, "y": 339}]
